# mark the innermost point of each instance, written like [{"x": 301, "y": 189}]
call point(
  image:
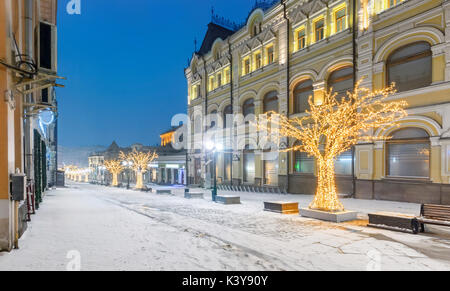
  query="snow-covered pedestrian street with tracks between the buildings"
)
[{"x": 118, "y": 229}]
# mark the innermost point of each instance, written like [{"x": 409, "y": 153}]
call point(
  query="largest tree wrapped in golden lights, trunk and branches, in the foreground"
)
[{"x": 333, "y": 127}]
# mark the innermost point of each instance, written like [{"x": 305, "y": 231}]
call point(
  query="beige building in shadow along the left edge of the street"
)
[{"x": 27, "y": 106}]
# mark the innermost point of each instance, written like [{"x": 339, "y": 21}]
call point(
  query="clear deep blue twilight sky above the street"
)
[{"x": 125, "y": 62}]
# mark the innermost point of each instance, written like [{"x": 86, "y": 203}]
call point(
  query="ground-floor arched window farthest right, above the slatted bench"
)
[{"x": 409, "y": 154}]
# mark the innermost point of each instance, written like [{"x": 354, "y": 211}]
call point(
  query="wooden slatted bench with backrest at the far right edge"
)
[{"x": 432, "y": 214}]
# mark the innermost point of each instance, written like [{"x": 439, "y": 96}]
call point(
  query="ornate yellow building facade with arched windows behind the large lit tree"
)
[{"x": 290, "y": 50}]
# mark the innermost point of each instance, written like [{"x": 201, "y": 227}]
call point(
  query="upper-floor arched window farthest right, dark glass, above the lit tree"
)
[{"x": 410, "y": 67}]
